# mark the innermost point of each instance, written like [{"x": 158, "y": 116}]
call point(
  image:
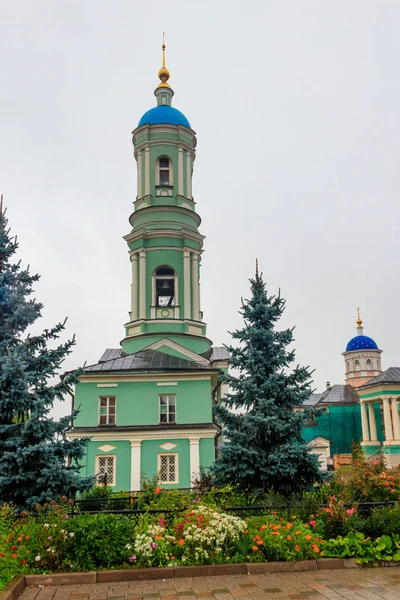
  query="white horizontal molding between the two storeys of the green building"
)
[{"x": 131, "y": 436}]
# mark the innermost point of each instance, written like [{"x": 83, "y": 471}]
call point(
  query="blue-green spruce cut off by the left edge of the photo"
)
[{"x": 34, "y": 450}]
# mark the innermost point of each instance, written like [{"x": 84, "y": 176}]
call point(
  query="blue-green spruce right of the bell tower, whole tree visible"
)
[{"x": 264, "y": 448}]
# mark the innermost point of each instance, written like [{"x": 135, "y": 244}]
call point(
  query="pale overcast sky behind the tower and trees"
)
[{"x": 296, "y": 108}]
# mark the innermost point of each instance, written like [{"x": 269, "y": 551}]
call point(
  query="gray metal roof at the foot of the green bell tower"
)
[{"x": 146, "y": 360}]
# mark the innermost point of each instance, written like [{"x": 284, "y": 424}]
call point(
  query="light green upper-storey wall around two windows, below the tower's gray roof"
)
[{"x": 137, "y": 402}]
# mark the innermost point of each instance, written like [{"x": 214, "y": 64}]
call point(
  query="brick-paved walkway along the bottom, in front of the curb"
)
[{"x": 351, "y": 584}]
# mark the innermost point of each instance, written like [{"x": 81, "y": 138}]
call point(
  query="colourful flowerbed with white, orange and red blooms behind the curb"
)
[{"x": 199, "y": 532}]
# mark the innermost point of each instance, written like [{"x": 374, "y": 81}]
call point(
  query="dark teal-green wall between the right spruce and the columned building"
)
[{"x": 341, "y": 425}]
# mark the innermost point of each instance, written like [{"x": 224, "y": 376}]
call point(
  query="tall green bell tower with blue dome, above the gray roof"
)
[{"x": 165, "y": 244}]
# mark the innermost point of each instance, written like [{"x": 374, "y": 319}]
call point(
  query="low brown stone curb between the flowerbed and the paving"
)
[{"x": 14, "y": 589}]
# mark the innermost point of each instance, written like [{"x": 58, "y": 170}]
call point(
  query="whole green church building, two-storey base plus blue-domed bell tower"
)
[{"x": 147, "y": 406}]
